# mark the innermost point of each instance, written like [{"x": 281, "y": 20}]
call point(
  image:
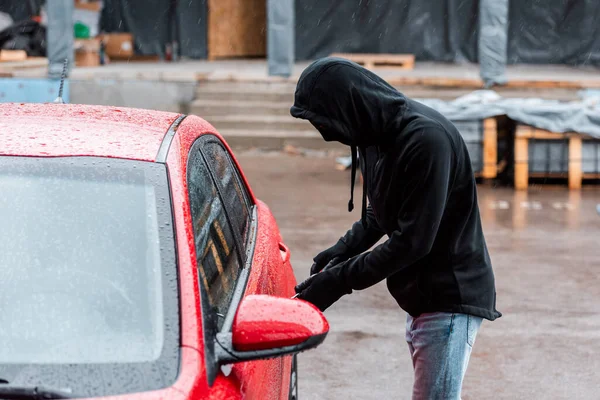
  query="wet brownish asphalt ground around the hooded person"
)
[{"x": 545, "y": 249}]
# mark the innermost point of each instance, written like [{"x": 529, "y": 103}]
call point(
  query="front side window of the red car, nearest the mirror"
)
[{"x": 218, "y": 255}]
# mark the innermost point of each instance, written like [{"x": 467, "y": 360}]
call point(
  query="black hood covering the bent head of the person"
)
[{"x": 346, "y": 102}]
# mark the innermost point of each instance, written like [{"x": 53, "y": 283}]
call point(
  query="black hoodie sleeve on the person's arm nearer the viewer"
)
[{"x": 423, "y": 169}]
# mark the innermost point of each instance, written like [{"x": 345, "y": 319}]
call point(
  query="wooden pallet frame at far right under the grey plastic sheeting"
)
[{"x": 575, "y": 174}]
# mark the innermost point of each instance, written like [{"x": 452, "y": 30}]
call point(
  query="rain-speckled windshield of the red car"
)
[{"x": 88, "y": 274}]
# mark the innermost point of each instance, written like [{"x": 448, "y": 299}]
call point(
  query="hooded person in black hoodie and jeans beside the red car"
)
[{"x": 422, "y": 194}]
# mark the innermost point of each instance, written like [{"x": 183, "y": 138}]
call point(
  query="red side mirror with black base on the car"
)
[{"x": 268, "y": 327}]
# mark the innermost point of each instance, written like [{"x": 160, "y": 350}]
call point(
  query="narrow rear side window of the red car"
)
[{"x": 237, "y": 201}]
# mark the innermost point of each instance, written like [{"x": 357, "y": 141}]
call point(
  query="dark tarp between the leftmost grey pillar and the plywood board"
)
[{"x": 154, "y": 23}]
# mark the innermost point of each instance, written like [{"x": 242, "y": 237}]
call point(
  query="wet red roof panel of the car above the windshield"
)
[{"x": 51, "y": 129}]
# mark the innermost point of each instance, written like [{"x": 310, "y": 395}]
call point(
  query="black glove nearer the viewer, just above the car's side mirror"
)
[{"x": 324, "y": 288}]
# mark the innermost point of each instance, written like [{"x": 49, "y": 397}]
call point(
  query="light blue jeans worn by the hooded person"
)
[{"x": 440, "y": 345}]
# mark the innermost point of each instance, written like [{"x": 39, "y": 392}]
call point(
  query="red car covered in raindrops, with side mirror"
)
[{"x": 137, "y": 264}]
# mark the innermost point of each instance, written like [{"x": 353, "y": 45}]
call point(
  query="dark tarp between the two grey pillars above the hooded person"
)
[{"x": 440, "y": 30}]
